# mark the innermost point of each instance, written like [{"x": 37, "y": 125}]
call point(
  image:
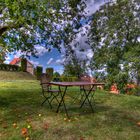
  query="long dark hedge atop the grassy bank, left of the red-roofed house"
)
[{"x": 8, "y": 67}]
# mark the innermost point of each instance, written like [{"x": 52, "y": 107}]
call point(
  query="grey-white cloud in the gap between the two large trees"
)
[{"x": 79, "y": 44}]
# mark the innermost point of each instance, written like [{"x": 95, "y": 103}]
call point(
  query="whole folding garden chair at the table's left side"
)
[{"x": 48, "y": 93}]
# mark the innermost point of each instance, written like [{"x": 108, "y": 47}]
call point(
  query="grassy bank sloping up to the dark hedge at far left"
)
[{"x": 7, "y": 75}]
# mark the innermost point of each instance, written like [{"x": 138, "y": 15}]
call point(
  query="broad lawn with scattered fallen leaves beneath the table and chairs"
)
[{"x": 115, "y": 117}]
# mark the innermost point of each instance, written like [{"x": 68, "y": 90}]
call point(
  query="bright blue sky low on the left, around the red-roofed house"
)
[{"x": 45, "y": 59}]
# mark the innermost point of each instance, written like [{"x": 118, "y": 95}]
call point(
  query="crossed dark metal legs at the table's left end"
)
[{"x": 62, "y": 101}]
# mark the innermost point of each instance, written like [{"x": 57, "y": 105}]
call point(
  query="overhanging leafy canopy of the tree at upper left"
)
[{"x": 26, "y": 23}]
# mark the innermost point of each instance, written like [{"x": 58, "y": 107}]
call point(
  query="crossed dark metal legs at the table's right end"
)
[{"x": 86, "y": 98}]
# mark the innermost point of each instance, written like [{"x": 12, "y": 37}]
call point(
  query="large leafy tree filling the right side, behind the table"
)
[{"x": 114, "y": 34}]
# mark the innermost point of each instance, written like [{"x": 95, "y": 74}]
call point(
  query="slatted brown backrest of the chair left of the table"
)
[{"x": 44, "y": 80}]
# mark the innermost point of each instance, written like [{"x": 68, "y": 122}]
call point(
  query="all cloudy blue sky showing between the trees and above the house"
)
[{"x": 54, "y": 58}]
